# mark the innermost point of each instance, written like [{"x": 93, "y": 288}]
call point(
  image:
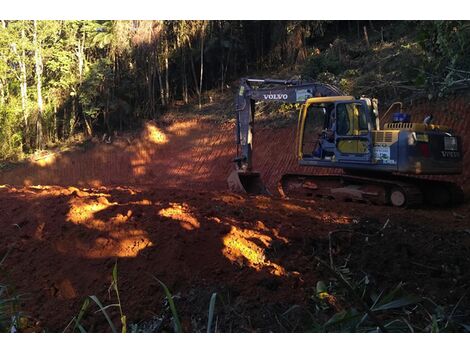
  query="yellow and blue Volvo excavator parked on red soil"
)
[{"x": 379, "y": 165}]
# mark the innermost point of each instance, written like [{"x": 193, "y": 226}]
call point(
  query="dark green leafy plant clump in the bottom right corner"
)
[{"x": 369, "y": 311}]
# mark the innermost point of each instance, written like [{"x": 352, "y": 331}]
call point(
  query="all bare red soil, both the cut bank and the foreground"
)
[{"x": 157, "y": 204}]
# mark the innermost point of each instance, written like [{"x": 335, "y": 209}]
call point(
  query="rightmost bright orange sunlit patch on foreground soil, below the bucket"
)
[{"x": 246, "y": 247}]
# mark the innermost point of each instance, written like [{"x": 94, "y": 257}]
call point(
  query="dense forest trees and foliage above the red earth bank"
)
[{"x": 60, "y": 78}]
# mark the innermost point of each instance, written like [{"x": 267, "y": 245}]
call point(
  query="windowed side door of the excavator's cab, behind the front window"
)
[{"x": 353, "y": 137}]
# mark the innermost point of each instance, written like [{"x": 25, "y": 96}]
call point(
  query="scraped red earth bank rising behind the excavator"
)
[{"x": 195, "y": 153}]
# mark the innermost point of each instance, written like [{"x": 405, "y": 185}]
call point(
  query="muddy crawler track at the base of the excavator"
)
[{"x": 396, "y": 190}]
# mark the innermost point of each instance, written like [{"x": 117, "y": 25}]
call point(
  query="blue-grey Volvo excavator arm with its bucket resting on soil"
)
[{"x": 251, "y": 90}]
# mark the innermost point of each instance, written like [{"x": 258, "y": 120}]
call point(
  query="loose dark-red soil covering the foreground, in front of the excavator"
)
[{"x": 257, "y": 253}]
